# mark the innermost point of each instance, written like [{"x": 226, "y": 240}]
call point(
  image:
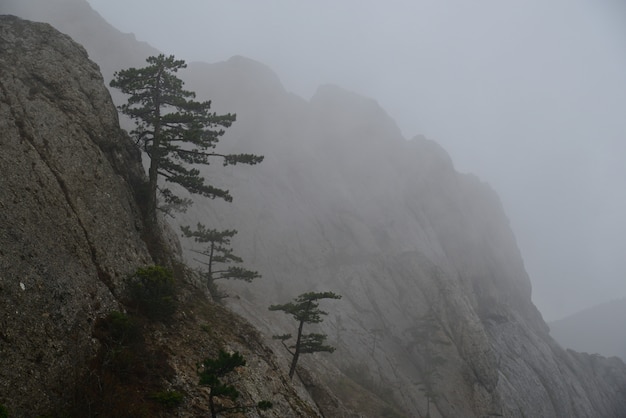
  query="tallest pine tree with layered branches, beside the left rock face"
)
[{"x": 175, "y": 131}]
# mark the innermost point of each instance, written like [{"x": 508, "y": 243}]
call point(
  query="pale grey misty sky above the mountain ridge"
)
[{"x": 529, "y": 95}]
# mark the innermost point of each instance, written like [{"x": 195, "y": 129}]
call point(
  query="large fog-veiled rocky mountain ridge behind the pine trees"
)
[{"x": 342, "y": 202}]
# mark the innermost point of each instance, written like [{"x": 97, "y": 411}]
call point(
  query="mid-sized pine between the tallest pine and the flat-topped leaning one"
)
[{"x": 218, "y": 255}]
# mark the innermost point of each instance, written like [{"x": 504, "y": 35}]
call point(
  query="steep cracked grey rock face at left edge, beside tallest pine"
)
[{"x": 65, "y": 164}]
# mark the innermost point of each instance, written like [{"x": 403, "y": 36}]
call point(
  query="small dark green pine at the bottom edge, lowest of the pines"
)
[{"x": 212, "y": 372}]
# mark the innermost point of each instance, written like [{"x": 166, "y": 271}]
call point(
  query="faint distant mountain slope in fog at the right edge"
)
[{"x": 600, "y": 329}]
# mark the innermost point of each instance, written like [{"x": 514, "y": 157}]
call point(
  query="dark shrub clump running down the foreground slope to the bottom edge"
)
[{"x": 126, "y": 377}]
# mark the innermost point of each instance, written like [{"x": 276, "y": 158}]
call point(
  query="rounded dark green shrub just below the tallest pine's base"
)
[{"x": 152, "y": 291}]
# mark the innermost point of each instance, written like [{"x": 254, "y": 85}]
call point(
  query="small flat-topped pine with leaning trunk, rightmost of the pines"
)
[{"x": 305, "y": 310}]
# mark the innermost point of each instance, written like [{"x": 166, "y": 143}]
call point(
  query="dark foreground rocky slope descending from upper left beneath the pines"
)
[{"x": 71, "y": 232}]
